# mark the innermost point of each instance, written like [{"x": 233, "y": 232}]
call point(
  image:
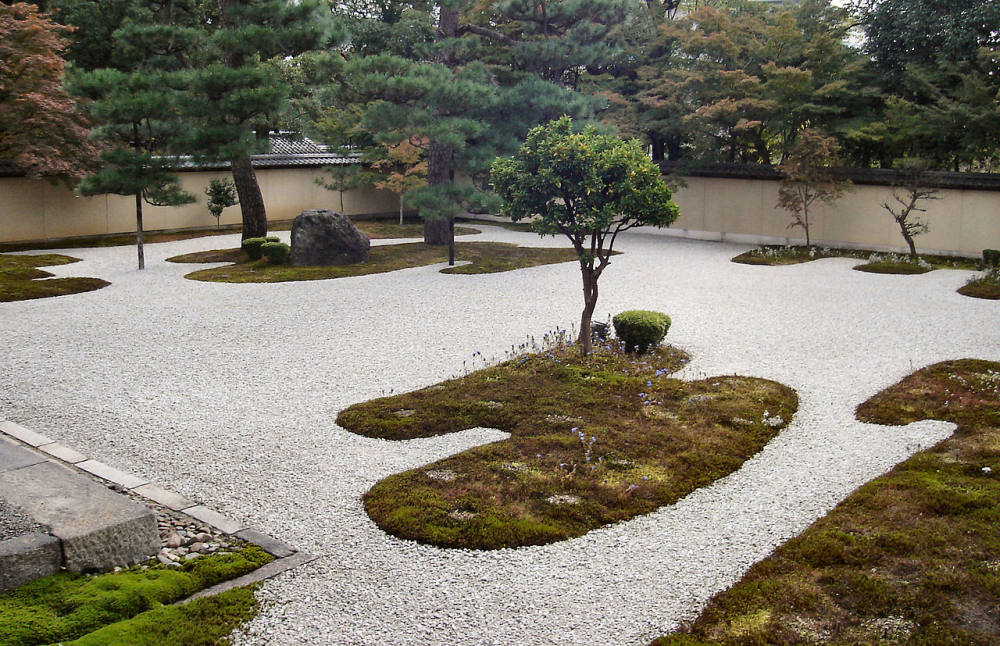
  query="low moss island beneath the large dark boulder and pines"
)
[{"x": 486, "y": 257}]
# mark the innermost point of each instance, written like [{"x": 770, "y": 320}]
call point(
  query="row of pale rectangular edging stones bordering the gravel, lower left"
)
[{"x": 276, "y": 548}]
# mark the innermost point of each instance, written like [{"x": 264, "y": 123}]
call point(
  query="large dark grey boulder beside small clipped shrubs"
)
[{"x": 323, "y": 237}]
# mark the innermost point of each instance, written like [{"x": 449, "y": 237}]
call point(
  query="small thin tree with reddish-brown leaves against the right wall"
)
[{"x": 808, "y": 177}]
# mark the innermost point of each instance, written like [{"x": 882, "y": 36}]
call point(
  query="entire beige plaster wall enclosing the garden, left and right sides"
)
[{"x": 961, "y": 221}]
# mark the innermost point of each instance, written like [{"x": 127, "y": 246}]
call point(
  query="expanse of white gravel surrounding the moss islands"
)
[{"x": 228, "y": 395}]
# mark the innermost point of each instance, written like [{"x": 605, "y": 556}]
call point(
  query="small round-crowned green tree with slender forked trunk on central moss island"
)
[{"x": 586, "y": 186}]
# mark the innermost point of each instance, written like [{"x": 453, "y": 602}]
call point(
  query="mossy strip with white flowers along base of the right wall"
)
[{"x": 877, "y": 262}]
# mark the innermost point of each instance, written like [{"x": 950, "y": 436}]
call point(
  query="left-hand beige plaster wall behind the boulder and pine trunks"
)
[{"x": 38, "y": 210}]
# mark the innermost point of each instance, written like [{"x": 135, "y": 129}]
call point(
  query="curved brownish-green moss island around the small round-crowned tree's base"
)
[{"x": 593, "y": 441}]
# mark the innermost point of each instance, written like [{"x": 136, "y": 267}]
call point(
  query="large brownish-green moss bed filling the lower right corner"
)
[{"x": 911, "y": 557}]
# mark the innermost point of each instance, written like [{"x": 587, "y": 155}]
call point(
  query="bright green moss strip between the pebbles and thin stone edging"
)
[{"x": 68, "y": 606}]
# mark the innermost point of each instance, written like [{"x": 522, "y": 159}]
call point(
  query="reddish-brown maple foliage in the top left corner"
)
[{"x": 41, "y": 131}]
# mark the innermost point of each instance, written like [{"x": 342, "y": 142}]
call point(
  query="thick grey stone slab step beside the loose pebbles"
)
[{"x": 99, "y": 528}]
